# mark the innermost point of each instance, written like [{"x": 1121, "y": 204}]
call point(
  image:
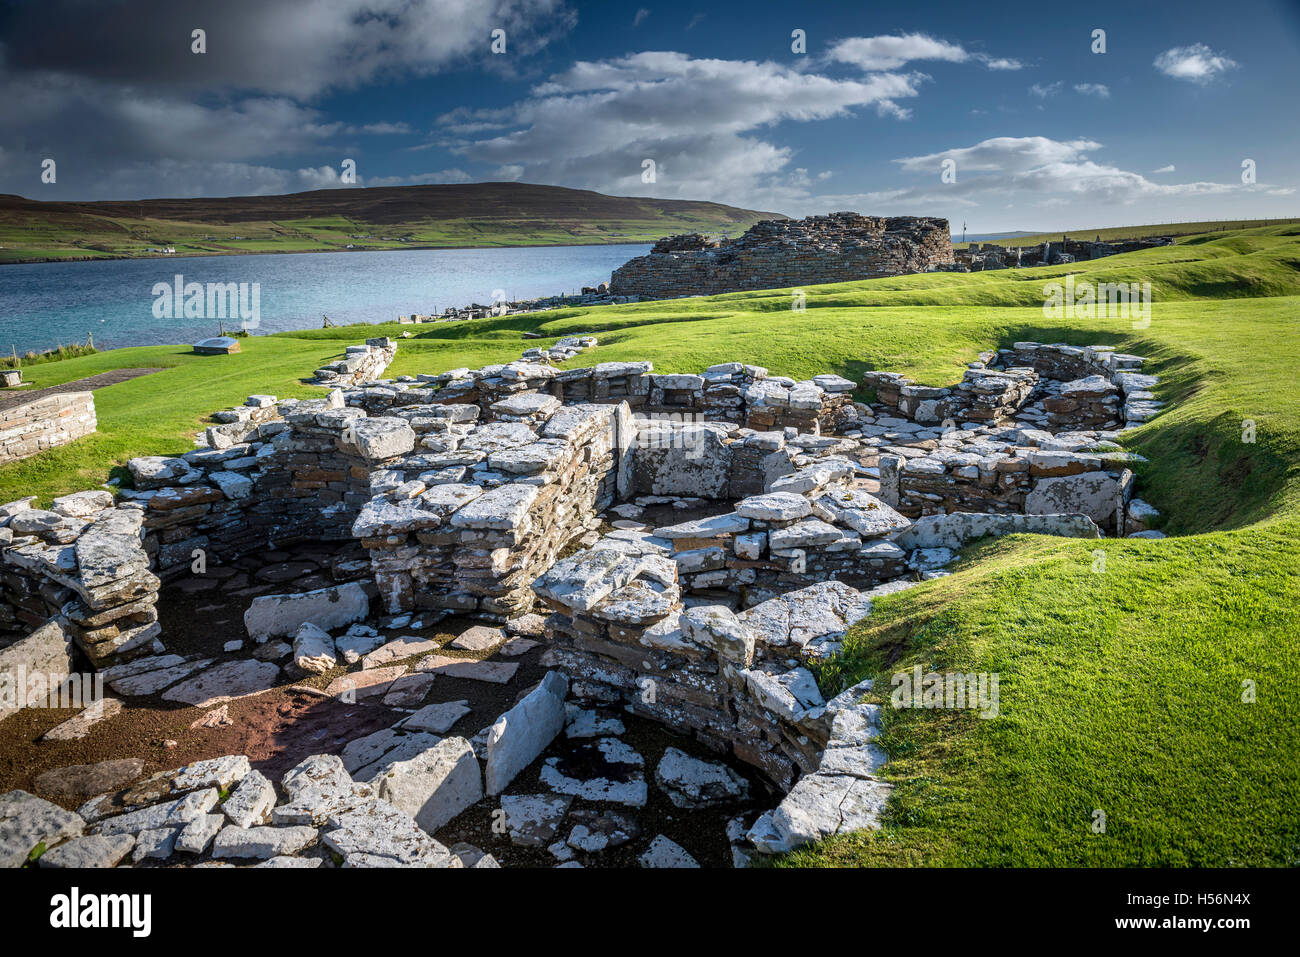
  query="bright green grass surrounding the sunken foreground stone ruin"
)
[{"x": 1163, "y": 692}]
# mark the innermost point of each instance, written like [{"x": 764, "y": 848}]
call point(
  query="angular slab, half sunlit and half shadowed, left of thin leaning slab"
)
[{"x": 434, "y": 787}]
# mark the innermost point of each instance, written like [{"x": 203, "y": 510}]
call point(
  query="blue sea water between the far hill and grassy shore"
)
[{"x": 45, "y": 305}]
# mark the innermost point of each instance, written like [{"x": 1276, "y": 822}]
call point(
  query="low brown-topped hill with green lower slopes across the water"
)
[{"x": 391, "y": 218}]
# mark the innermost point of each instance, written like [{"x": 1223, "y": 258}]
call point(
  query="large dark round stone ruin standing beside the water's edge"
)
[{"x": 775, "y": 254}]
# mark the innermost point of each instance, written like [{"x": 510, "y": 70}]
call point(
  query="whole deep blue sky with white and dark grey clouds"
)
[{"x": 998, "y": 116}]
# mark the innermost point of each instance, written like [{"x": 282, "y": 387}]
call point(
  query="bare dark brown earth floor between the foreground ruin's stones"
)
[{"x": 280, "y": 728}]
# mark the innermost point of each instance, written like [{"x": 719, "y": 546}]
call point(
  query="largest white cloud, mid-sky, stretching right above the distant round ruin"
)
[{"x": 596, "y": 123}]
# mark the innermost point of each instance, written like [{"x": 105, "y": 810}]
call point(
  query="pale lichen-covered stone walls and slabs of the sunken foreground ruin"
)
[{"x": 686, "y": 548}]
